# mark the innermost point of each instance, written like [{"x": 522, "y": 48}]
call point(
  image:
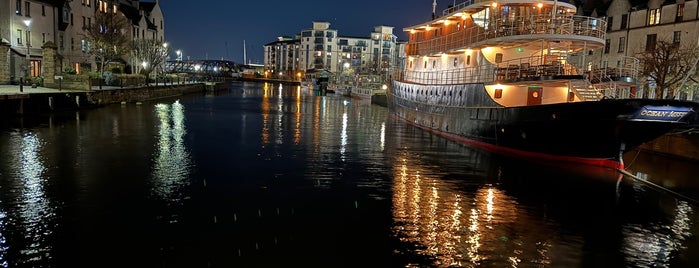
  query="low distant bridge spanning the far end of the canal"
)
[{"x": 210, "y": 68}]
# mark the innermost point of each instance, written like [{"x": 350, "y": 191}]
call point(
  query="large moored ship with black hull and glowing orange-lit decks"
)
[{"x": 511, "y": 76}]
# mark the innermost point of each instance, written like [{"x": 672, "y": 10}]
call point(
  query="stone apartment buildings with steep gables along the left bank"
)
[{"x": 28, "y": 25}]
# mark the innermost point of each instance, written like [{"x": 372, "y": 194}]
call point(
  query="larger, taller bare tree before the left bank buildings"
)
[{"x": 107, "y": 38}]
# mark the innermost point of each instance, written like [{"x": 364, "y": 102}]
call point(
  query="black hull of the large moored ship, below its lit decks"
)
[{"x": 595, "y": 132}]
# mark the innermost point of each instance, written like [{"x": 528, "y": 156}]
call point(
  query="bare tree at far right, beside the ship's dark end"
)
[{"x": 668, "y": 64}]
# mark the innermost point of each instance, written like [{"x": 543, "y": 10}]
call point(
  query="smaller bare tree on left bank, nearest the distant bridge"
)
[{"x": 151, "y": 53}]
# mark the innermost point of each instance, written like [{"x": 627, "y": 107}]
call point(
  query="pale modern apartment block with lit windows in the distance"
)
[{"x": 322, "y": 48}]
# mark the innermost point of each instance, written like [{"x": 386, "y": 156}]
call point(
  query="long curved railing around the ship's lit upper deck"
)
[{"x": 525, "y": 26}]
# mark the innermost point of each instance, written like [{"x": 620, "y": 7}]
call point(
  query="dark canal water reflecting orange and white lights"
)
[{"x": 268, "y": 176}]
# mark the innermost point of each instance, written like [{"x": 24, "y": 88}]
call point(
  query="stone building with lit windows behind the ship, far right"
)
[{"x": 634, "y": 29}]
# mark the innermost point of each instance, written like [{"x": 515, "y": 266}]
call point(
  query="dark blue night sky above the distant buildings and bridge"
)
[{"x": 216, "y": 29}]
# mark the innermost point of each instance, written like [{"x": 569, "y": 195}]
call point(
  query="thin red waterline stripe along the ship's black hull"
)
[{"x": 601, "y": 162}]
